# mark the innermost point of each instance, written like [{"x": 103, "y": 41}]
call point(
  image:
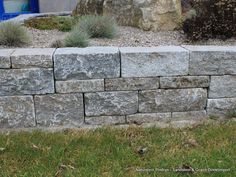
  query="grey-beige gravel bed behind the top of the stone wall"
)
[{"x": 128, "y": 36}]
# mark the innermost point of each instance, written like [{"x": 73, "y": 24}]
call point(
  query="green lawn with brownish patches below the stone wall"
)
[{"x": 113, "y": 152}]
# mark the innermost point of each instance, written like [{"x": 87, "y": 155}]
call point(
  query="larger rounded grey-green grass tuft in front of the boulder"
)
[{"x": 98, "y": 26}]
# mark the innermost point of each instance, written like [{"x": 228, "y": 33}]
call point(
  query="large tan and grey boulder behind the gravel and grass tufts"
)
[{"x": 146, "y": 14}]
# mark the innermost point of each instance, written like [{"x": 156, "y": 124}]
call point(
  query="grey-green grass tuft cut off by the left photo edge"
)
[{"x": 13, "y": 34}]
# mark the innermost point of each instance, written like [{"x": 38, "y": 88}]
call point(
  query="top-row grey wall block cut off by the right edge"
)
[{"x": 212, "y": 60}]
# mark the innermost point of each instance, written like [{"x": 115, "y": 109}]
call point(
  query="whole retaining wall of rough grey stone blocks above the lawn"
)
[{"x": 108, "y": 85}]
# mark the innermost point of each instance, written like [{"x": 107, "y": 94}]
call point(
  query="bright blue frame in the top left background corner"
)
[{"x": 32, "y": 7}]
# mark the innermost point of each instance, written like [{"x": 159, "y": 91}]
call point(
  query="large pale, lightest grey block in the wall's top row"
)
[{"x": 154, "y": 61}]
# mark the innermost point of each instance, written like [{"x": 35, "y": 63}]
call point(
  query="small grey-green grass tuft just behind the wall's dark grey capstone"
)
[{"x": 77, "y": 38}]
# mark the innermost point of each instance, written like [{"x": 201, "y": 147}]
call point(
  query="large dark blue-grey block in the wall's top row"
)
[{"x": 87, "y": 63}]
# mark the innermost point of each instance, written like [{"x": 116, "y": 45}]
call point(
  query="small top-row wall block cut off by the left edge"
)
[{"x": 5, "y": 58}]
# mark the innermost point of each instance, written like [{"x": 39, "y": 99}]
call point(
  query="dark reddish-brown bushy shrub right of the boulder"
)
[{"x": 213, "y": 19}]
